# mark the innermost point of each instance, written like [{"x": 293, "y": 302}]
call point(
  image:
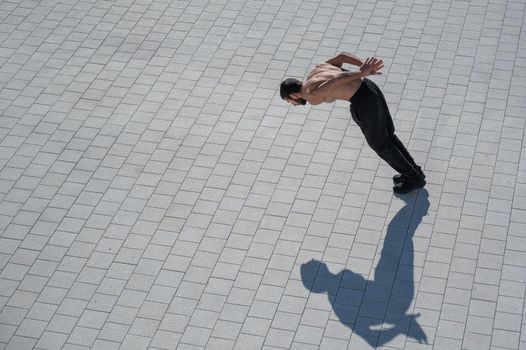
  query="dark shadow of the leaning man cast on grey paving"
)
[{"x": 377, "y": 309}]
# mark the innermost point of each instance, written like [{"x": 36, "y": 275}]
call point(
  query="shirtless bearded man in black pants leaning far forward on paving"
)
[{"x": 328, "y": 82}]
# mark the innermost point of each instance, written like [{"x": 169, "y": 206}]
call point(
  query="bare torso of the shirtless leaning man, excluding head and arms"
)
[{"x": 322, "y": 73}]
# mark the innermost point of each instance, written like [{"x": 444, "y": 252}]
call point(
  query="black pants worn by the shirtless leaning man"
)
[{"x": 369, "y": 110}]
